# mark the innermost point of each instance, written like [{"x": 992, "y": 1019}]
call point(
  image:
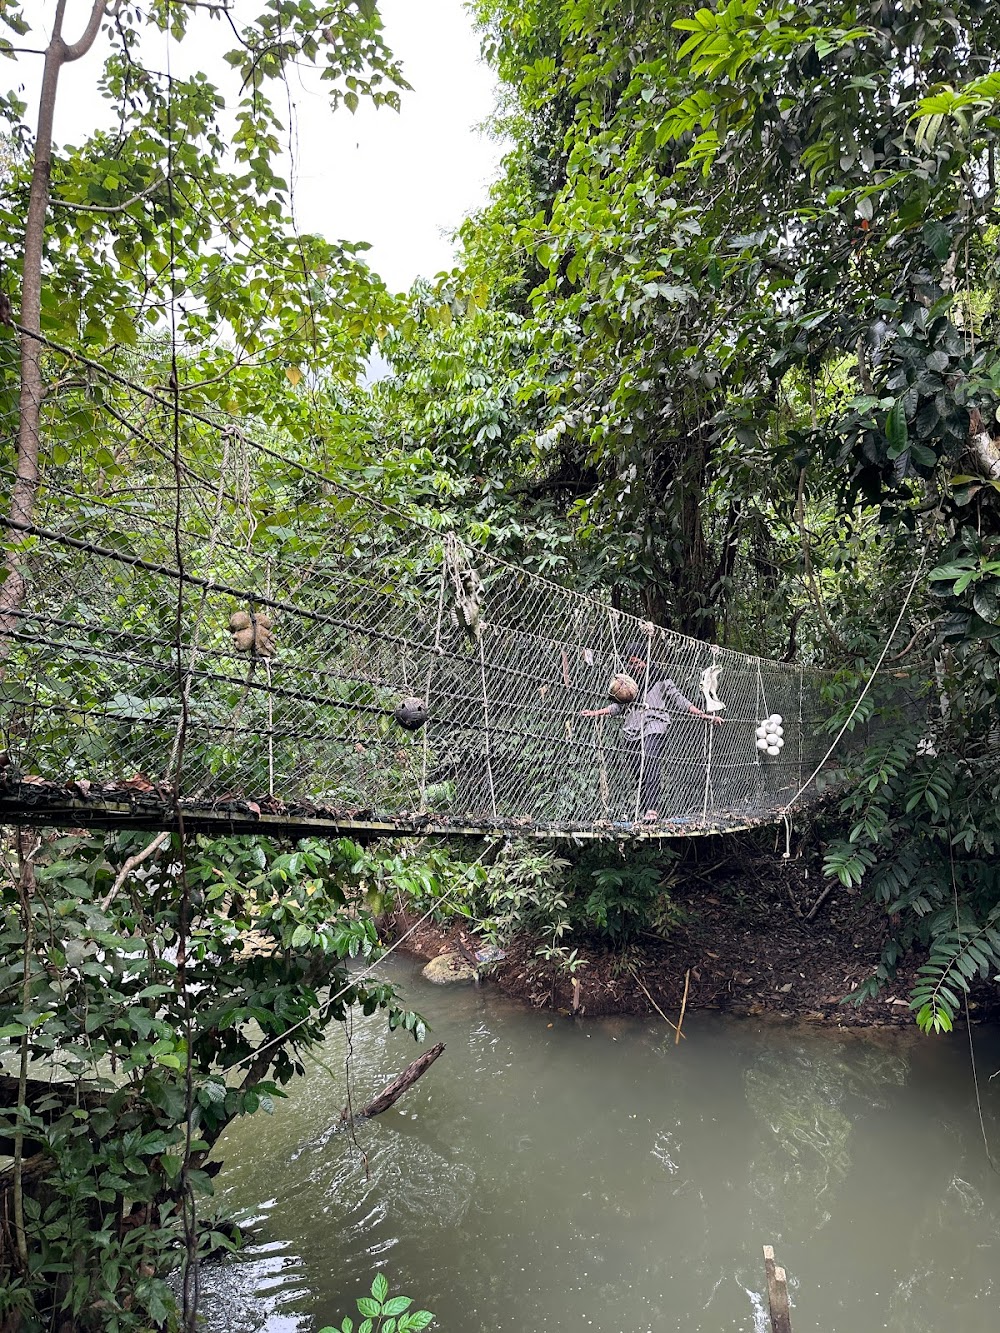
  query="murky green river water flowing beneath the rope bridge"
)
[{"x": 551, "y": 1176}]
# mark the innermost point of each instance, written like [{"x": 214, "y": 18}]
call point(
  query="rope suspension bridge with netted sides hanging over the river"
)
[{"x": 198, "y": 621}]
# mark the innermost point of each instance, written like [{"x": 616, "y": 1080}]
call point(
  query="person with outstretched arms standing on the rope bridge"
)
[{"x": 649, "y": 723}]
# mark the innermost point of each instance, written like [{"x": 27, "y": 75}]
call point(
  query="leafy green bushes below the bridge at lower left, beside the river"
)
[{"x": 95, "y": 996}]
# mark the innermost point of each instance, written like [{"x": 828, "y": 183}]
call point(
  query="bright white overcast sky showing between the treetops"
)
[{"x": 401, "y": 182}]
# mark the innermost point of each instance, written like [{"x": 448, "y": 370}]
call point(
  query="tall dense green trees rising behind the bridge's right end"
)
[{"x": 751, "y": 255}]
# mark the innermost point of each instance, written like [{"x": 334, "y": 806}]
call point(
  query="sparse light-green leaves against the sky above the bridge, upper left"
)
[{"x": 181, "y": 205}]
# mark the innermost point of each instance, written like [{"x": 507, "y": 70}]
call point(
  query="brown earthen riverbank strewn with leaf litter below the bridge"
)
[{"x": 766, "y": 943}]
